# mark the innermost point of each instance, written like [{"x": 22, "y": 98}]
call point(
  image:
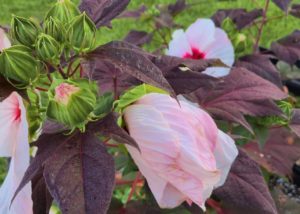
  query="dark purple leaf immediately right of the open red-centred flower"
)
[{"x": 262, "y": 66}]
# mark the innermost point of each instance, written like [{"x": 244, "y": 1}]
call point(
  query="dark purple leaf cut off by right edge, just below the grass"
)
[{"x": 288, "y": 48}]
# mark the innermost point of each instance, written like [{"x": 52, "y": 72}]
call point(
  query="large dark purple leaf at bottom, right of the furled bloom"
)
[{"x": 245, "y": 190}]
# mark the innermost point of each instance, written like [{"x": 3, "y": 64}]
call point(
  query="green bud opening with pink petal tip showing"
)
[{"x": 71, "y": 102}]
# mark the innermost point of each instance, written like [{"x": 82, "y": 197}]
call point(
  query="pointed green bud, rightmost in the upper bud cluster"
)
[{"x": 82, "y": 33}]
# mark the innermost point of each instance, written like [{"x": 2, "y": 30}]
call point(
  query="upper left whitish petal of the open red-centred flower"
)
[{"x": 179, "y": 45}]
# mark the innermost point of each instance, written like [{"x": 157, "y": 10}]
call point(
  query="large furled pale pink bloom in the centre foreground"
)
[{"x": 183, "y": 154}]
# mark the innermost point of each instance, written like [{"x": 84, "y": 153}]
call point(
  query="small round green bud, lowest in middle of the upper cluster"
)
[{"x": 48, "y": 48}]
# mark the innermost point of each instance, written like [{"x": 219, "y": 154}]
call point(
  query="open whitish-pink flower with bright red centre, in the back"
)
[{"x": 202, "y": 40}]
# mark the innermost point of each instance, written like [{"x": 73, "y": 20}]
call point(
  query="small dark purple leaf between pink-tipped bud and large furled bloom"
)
[{"x": 108, "y": 126}]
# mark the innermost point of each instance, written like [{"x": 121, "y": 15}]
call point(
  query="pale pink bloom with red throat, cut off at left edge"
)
[{"x": 14, "y": 144}]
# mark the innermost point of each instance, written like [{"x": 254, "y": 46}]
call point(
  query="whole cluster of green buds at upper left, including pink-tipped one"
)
[{"x": 41, "y": 52}]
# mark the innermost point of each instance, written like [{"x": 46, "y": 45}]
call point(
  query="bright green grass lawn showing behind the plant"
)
[{"x": 205, "y": 8}]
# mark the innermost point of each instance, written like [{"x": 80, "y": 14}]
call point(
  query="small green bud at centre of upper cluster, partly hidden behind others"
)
[{"x": 54, "y": 28}]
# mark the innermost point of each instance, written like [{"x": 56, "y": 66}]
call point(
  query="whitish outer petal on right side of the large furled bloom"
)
[{"x": 225, "y": 154}]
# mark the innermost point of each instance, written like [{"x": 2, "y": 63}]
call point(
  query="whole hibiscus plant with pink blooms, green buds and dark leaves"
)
[{"x": 201, "y": 124}]
